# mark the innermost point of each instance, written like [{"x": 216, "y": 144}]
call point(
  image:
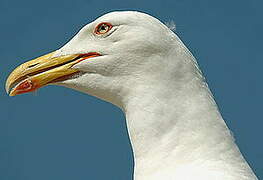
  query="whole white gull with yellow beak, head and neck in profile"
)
[{"x": 137, "y": 63}]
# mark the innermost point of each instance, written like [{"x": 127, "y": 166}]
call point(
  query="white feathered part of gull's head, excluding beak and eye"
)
[{"x": 128, "y": 50}]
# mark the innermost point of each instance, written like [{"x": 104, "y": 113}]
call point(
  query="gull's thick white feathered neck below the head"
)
[{"x": 177, "y": 132}]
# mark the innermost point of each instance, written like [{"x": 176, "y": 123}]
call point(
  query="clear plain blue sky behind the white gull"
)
[{"x": 58, "y": 133}]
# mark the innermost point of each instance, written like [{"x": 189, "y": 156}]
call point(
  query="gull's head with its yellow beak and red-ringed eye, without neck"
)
[{"x": 106, "y": 58}]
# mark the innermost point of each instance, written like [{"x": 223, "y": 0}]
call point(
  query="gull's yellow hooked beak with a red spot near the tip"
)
[{"x": 42, "y": 71}]
